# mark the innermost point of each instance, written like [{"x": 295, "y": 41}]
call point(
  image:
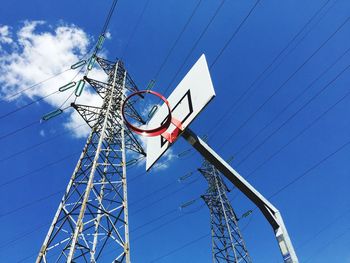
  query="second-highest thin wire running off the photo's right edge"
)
[{"x": 302, "y": 93}]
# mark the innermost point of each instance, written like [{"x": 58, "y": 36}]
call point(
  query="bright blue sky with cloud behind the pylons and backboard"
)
[{"x": 300, "y": 159}]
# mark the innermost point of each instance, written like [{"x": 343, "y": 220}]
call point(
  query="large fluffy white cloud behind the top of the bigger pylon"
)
[{"x": 36, "y": 52}]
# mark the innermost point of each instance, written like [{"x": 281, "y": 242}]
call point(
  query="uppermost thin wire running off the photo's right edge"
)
[{"x": 284, "y": 83}]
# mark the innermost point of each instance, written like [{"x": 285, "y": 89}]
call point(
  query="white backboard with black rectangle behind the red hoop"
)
[{"x": 188, "y": 99}]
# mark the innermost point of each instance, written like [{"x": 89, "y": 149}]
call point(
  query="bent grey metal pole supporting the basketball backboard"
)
[{"x": 272, "y": 215}]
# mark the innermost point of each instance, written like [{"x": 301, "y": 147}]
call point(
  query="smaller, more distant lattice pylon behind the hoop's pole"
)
[{"x": 227, "y": 242}]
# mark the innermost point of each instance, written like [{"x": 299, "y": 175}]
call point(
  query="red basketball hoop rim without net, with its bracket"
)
[{"x": 162, "y": 129}]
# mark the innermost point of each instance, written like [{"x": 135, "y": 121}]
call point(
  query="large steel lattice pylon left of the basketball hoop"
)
[{"x": 93, "y": 213}]
